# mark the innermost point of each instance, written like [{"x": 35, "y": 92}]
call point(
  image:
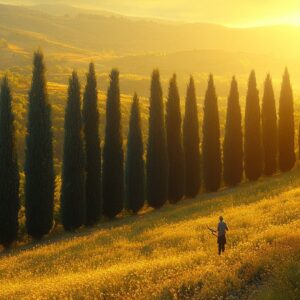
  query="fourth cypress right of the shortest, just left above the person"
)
[{"x": 211, "y": 149}]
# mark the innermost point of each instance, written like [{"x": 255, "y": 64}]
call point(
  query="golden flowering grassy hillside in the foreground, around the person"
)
[{"x": 169, "y": 254}]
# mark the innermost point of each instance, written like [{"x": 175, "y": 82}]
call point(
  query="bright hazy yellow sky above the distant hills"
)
[{"x": 228, "y": 12}]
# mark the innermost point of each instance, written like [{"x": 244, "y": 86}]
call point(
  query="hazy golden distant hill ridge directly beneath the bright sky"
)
[{"x": 105, "y": 31}]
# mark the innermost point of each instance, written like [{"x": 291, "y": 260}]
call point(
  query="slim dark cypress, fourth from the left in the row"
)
[{"x": 93, "y": 150}]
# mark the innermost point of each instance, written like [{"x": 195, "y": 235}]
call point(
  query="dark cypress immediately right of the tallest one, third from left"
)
[{"x": 73, "y": 173}]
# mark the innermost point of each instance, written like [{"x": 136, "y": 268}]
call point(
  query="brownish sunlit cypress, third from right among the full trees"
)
[{"x": 252, "y": 147}]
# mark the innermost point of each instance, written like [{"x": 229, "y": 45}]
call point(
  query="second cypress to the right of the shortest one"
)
[{"x": 174, "y": 143}]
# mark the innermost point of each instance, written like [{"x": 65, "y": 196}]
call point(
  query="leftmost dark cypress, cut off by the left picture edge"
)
[{"x": 9, "y": 172}]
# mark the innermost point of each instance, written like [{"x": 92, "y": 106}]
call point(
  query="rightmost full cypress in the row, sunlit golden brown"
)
[{"x": 286, "y": 130}]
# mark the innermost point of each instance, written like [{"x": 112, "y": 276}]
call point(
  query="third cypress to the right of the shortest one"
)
[{"x": 191, "y": 141}]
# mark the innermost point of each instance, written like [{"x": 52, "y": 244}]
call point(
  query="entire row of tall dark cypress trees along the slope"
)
[{"x": 172, "y": 169}]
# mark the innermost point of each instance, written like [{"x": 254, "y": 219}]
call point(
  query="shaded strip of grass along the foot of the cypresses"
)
[{"x": 203, "y": 205}]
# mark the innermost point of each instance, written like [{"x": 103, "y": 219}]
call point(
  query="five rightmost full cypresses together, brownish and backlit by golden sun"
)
[{"x": 267, "y": 143}]
